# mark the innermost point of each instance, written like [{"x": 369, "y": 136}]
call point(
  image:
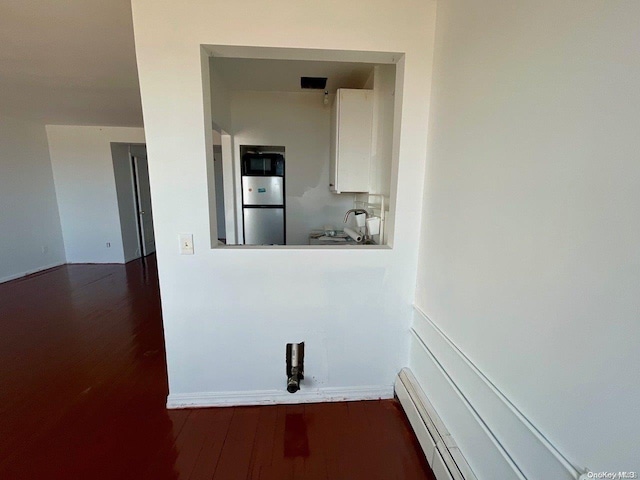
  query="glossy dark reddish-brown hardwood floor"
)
[{"x": 83, "y": 387}]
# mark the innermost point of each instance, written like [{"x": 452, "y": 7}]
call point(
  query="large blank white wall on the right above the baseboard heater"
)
[{"x": 530, "y": 258}]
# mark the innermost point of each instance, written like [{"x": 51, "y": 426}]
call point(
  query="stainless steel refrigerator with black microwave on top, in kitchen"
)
[{"x": 263, "y": 206}]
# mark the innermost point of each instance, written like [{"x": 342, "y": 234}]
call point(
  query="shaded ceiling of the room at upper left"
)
[{"x": 69, "y": 62}]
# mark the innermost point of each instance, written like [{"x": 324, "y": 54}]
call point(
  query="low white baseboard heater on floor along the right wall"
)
[{"x": 441, "y": 451}]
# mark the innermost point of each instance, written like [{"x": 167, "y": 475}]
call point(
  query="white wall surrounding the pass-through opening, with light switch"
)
[{"x": 351, "y": 306}]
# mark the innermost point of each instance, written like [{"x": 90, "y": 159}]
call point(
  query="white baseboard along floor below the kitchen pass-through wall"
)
[{"x": 274, "y": 397}]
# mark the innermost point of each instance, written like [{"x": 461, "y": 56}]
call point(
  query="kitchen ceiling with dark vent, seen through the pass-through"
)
[{"x": 284, "y": 75}]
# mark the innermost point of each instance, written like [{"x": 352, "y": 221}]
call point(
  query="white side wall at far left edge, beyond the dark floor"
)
[{"x": 30, "y": 235}]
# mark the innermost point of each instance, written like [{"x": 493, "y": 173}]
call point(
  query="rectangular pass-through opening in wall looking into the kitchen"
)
[{"x": 294, "y": 166}]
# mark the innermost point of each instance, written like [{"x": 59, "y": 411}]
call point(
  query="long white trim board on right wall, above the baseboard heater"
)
[{"x": 495, "y": 425}]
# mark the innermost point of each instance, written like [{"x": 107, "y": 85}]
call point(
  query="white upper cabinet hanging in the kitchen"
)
[{"x": 351, "y": 124}]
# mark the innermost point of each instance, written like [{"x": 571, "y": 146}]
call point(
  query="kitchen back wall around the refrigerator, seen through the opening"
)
[{"x": 301, "y": 123}]
